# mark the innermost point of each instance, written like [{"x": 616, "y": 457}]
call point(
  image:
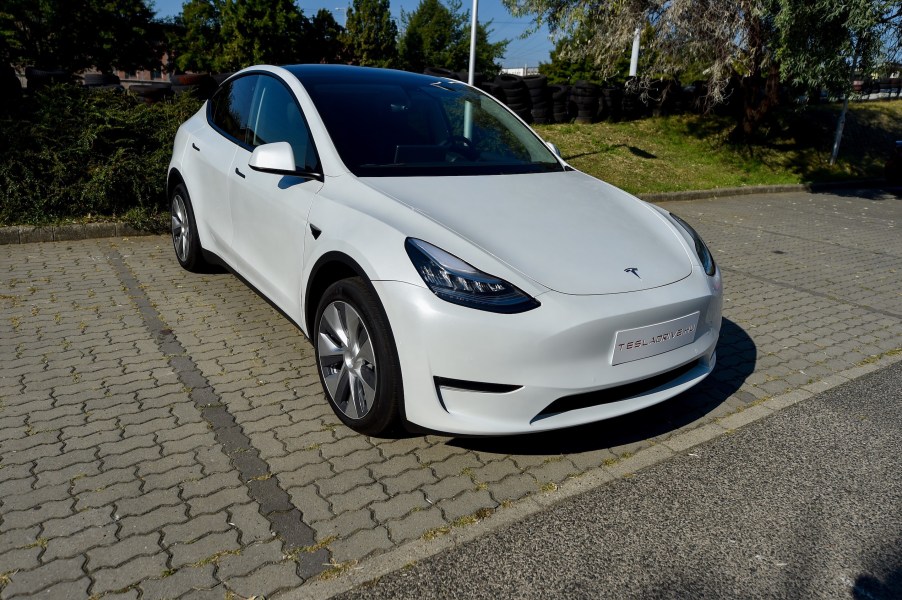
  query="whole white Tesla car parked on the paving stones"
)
[{"x": 452, "y": 271}]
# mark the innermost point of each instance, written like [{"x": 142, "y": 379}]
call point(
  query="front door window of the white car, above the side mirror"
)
[{"x": 275, "y": 117}]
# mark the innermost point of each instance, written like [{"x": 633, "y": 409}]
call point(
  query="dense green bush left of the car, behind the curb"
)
[{"x": 77, "y": 154}]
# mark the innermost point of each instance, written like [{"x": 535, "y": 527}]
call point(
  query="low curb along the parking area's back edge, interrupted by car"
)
[{"x": 25, "y": 234}]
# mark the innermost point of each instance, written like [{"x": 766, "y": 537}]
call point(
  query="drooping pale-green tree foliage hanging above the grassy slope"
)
[{"x": 740, "y": 43}]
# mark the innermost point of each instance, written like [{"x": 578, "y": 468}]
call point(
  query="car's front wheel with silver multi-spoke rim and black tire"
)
[{"x": 357, "y": 359}]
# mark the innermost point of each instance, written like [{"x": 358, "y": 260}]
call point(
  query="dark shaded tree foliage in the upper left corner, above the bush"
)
[{"x": 105, "y": 34}]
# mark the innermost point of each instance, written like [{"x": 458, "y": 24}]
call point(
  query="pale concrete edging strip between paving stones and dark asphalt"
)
[{"x": 417, "y": 550}]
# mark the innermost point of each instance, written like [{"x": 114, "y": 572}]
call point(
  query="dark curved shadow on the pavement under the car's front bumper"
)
[{"x": 736, "y": 358}]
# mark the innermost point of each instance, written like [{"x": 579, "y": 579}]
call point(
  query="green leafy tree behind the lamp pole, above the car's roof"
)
[{"x": 438, "y": 35}]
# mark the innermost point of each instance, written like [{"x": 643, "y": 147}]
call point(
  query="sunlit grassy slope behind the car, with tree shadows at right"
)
[{"x": 692, "y": 152}]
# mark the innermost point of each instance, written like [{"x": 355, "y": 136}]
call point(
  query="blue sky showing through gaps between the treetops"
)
[{"x": 529, "y": 51}]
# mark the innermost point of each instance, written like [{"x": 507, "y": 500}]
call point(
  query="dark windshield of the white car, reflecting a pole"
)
[{"x": 425, "y": 127}]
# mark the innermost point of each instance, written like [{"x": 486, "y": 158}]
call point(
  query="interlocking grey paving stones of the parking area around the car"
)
[{"x": 163, "y": 435}]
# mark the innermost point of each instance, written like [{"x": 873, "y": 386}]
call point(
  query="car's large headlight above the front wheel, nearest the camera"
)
[{"x": 455, "y": 281}]
